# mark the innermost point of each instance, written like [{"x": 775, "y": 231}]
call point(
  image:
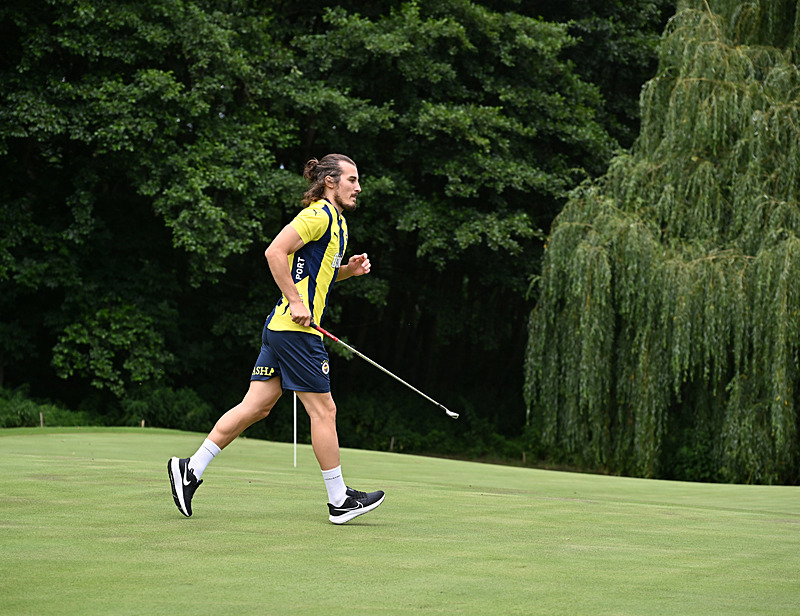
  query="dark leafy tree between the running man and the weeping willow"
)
[{"x": 472, "y": 128}]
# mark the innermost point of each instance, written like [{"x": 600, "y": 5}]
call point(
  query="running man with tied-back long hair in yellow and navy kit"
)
[{"x": 305, "y": 261}]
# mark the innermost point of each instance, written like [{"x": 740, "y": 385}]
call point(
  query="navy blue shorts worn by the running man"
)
[{"x": 299, "y": 360}]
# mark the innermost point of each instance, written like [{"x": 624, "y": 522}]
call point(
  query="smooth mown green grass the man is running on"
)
[{"x": 87, "y": 526}]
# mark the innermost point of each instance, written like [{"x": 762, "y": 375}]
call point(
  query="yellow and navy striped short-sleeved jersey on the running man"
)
[{"x": 315, "y": 266}]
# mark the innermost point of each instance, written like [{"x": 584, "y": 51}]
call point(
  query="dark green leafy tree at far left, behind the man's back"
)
[{"x": 134, "y": 144}]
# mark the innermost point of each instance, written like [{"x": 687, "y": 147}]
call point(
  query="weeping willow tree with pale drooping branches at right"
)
[{"x": 666, "y": 338}]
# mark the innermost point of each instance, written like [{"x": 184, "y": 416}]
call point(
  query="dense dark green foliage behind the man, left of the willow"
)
[{"x": 150, "y": 150}]
